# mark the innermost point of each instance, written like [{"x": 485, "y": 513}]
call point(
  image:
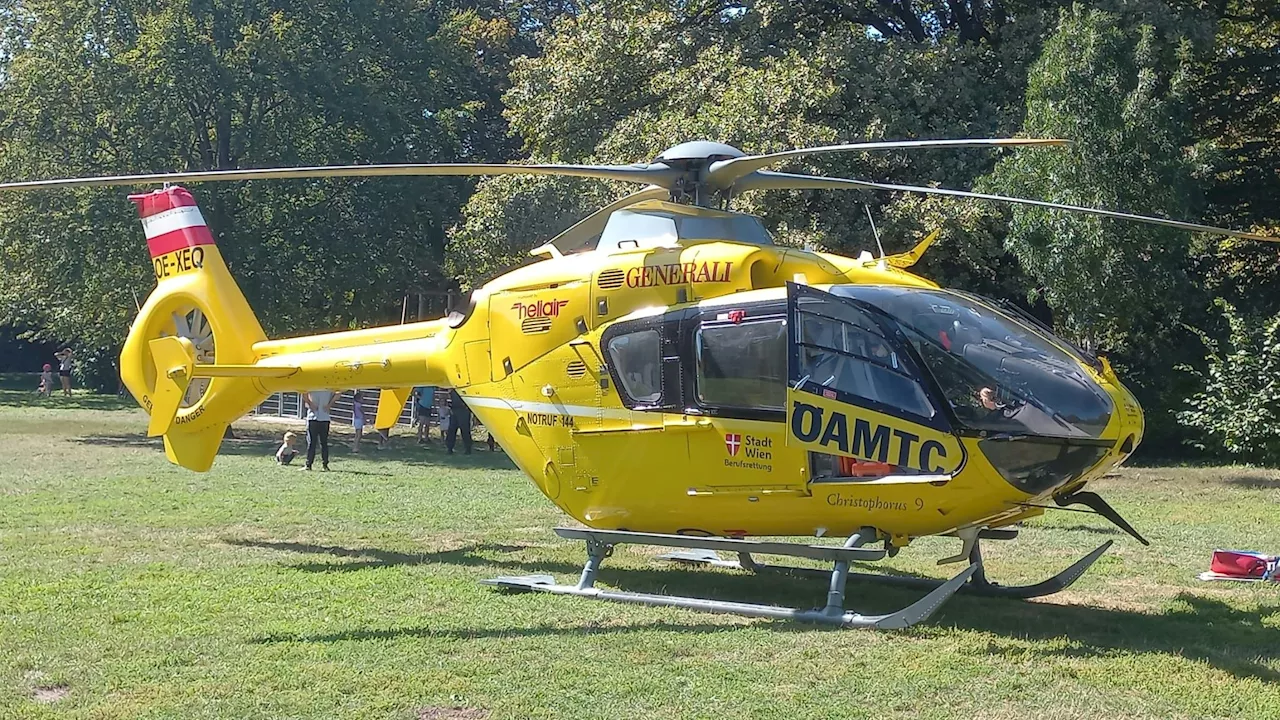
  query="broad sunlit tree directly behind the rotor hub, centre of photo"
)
[{"x": 621, "y": 83}]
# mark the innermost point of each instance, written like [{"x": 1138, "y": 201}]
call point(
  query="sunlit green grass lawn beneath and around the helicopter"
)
[{"x": 134, "y": 589}]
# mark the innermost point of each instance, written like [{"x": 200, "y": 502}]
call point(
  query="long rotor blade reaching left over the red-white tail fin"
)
[{"x": 655, "y": 174}]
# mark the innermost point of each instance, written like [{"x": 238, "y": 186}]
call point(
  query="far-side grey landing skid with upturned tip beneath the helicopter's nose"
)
[{"x": 977, "y": 584}]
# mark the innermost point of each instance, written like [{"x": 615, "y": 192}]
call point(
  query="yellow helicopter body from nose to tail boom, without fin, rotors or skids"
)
[{"x": 652, "y": 439}]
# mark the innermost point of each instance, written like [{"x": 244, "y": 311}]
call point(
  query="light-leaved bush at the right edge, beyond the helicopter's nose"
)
[{"x": 1238, "y": 411}]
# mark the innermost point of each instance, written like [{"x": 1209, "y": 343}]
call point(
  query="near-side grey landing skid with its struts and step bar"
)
[{"x": 600, "y": 545}]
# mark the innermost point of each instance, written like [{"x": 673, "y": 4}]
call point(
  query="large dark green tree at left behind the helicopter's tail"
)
[{"x": 127, "y": 86}]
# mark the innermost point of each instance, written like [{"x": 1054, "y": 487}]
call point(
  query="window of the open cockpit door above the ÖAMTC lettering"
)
[{"x": 842, "y": 349}]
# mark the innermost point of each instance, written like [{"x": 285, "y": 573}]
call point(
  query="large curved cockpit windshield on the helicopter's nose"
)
[{"x": 999, "y": 375}]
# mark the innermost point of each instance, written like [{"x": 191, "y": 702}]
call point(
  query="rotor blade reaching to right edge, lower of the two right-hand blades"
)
[{"x": 766, "y": 180}]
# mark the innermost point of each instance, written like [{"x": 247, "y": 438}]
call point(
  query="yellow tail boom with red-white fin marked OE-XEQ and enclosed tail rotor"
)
[{"x": 196, "y": 358}]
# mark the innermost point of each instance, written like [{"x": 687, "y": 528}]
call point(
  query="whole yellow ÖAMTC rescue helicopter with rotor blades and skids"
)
[{"x": 668, "y": 376}]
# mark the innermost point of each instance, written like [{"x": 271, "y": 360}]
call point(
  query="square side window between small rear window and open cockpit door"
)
[{"x": 743, "y": 366}]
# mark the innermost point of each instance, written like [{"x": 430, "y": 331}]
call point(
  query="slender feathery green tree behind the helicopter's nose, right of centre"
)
[{"x": 1118, "y": 90}]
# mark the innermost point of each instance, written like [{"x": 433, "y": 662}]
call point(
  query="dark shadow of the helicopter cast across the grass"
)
[{"x": 1242, "y": 642}]
